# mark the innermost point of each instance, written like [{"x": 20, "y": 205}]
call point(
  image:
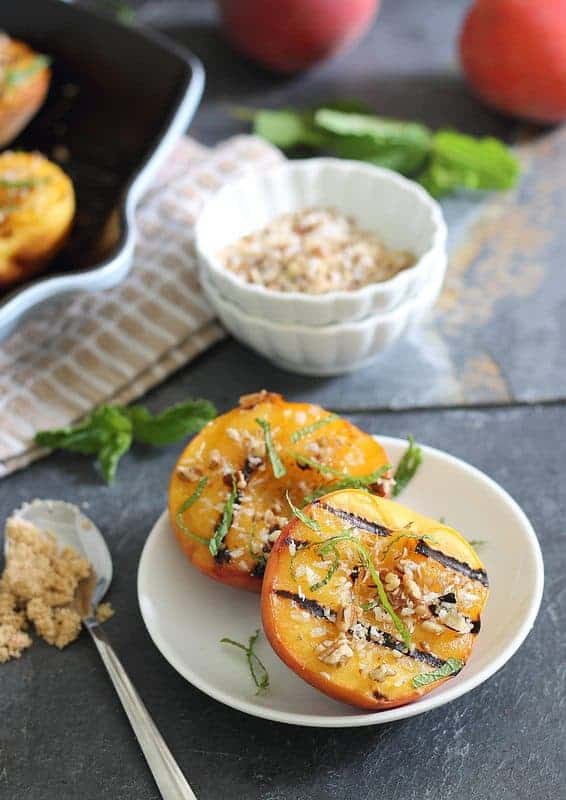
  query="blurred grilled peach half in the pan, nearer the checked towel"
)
[{"x": 37, "y": 206}]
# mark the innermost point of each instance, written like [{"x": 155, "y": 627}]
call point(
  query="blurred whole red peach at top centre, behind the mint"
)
[{"x": 291, "y": 35}]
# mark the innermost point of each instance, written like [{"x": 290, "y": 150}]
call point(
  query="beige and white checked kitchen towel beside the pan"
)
[{"x": 111, "y": 347}]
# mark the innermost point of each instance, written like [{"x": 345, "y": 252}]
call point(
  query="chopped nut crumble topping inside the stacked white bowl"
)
[{"x": 314, "y": 251}]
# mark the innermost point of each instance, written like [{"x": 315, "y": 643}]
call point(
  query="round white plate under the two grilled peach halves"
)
[{"x": 187, "y": 614}]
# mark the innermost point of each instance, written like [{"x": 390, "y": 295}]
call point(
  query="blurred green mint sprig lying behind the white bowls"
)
[{"x": 443, "y": 161}]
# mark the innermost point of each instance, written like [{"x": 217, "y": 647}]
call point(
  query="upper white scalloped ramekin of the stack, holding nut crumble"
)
[{"x": 397, "y": 209}]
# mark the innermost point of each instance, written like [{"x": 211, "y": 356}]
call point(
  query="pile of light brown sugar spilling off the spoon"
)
[{"x": 38, "y": 587}]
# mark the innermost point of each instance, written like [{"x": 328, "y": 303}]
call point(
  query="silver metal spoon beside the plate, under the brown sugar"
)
[{"x": 73, "y": 529}]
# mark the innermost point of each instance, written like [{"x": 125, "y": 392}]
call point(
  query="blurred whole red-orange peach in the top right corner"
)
[{"x": 513, "y": 53}]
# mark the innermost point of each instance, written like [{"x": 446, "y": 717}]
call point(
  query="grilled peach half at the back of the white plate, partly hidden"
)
[{"x": 228, "y": 492}]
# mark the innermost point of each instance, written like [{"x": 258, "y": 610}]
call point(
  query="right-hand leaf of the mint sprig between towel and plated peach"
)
[{"x": 173, "y": 424}]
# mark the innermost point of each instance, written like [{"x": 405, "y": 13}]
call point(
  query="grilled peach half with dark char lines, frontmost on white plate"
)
[{"x": 370, "y": 602}]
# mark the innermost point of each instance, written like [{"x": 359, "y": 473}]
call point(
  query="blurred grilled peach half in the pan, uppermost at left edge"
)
[{"x": 24, "y": 81}]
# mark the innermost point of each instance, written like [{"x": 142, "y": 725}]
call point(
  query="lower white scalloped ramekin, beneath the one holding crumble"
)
[{"x": 329, "y": 349}]
